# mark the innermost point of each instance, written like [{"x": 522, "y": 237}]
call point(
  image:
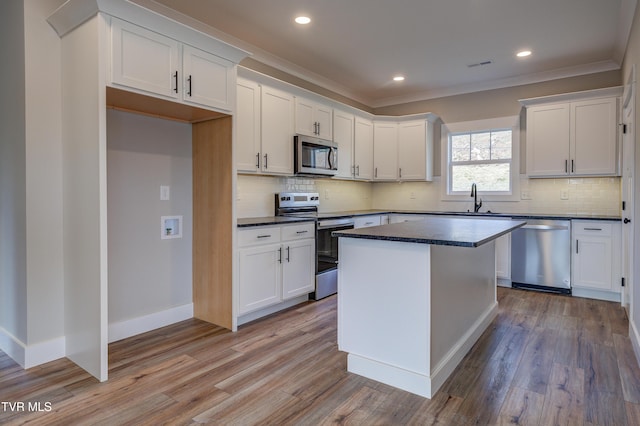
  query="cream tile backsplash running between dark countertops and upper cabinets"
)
[{"x": 585, "y": 196}]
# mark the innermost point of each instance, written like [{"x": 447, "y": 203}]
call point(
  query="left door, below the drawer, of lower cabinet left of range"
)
[{"x": 260, "y": 281}]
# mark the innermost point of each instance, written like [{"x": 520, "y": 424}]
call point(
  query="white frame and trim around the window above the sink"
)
[{"x": 510, "y": 122}]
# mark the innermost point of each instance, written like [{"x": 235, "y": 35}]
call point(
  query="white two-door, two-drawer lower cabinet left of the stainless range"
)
[{"x": 275, "y": 263}]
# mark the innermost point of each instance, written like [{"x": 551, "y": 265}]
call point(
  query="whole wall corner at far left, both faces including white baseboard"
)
[{"x": 31, "y": 255}]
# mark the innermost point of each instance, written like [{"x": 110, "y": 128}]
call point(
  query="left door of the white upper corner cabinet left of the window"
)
[{"x": 385, "y": 151}]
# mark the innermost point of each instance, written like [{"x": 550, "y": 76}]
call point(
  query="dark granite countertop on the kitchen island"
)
[{"x": 462, "y": 232}]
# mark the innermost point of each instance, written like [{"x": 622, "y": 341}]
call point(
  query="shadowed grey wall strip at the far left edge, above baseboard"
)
[{"x": 13, "y": 294}]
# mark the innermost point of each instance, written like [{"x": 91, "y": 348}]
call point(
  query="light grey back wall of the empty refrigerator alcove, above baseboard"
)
[{"x": 147, "y": 275}]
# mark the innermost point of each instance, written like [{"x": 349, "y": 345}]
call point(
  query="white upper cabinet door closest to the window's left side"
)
[{"x": 412, "y": 150}]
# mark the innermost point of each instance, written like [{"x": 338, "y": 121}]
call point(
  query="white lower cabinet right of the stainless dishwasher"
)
[{"x": 596, "y": 259}]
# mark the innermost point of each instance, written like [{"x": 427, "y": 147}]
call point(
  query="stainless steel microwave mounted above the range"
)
[{"x": 315, "y": 156}]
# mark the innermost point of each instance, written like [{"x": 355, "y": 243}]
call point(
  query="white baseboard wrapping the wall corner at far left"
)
[{"x": 29, "y": 356}]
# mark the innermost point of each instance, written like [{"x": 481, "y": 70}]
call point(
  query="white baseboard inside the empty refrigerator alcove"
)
[{"x": 123, "y": 329}]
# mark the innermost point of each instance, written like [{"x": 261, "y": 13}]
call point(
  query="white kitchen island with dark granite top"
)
[{"x": 414, "y": 297}]
